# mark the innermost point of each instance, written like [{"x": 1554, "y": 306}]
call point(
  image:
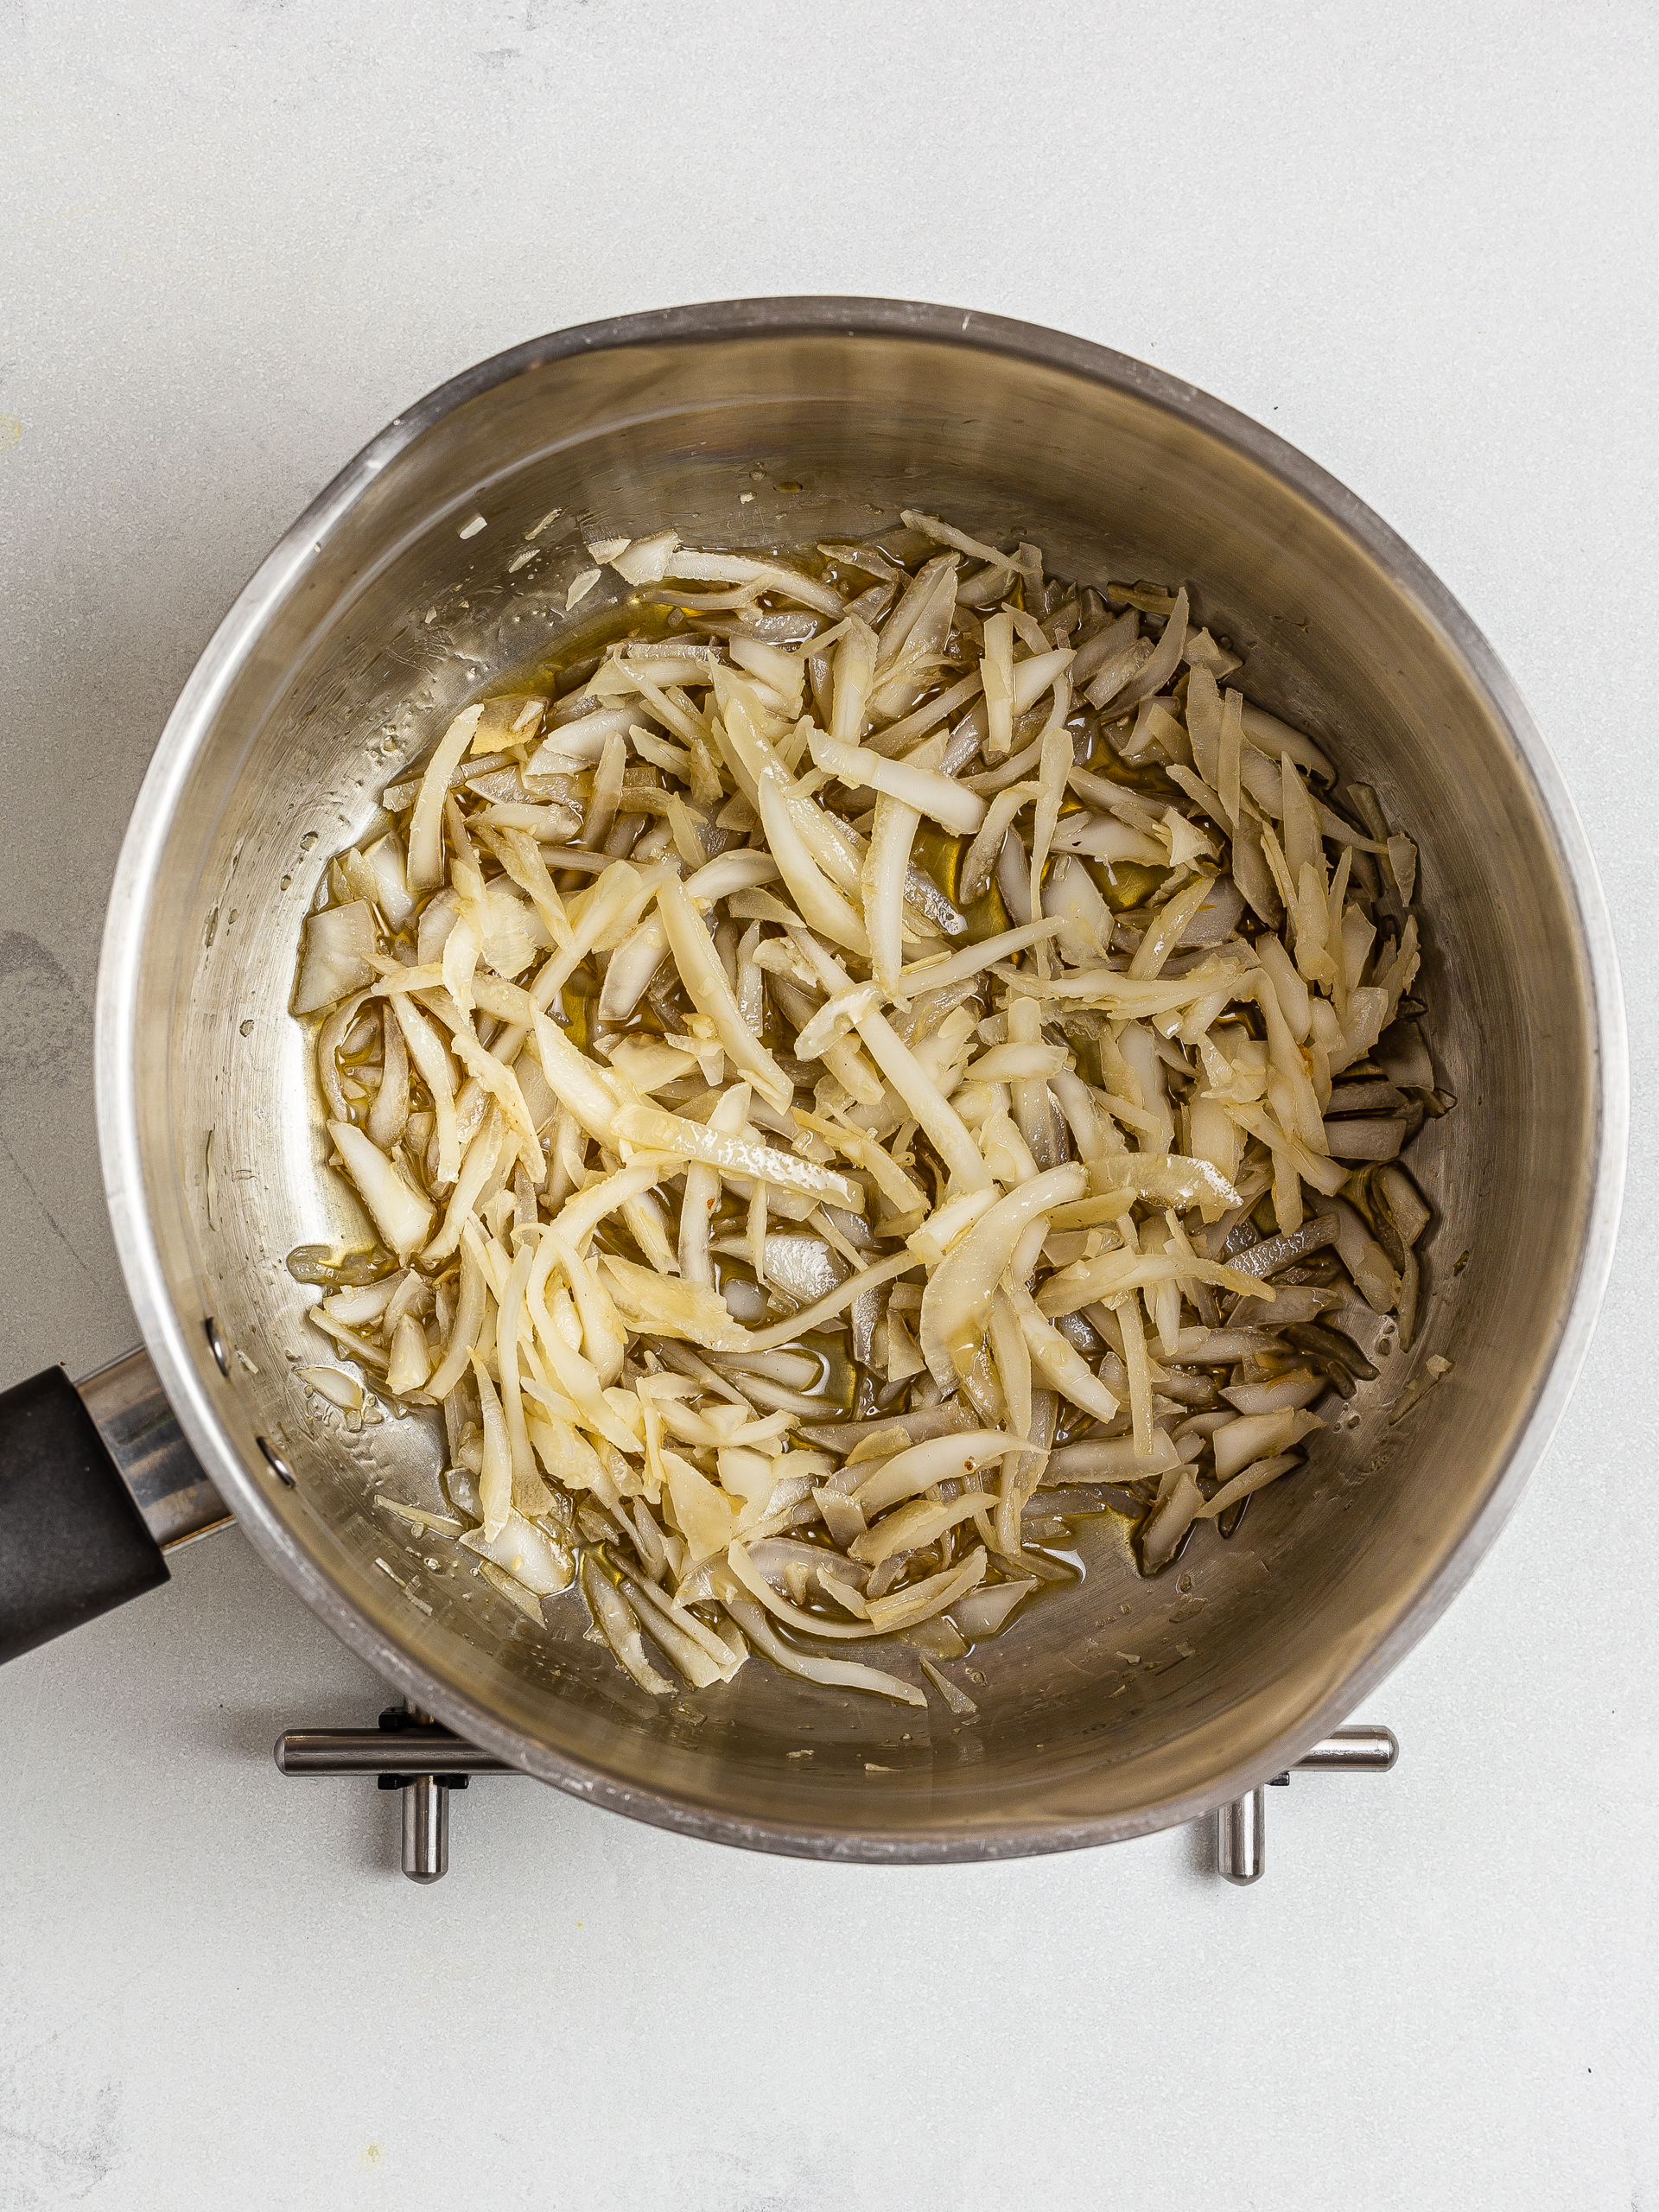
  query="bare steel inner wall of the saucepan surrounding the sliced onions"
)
[{"x": 1116, "y": 1704}]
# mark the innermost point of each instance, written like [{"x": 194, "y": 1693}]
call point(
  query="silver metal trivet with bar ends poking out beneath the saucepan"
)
[{"x": 424, "y": 1764}]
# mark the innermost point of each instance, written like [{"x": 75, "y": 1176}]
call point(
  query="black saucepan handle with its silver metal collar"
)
[{"x": 96, "y": 1483}]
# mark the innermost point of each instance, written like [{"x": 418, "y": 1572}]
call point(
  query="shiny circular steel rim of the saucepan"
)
[{"x": 118, "y": 990}]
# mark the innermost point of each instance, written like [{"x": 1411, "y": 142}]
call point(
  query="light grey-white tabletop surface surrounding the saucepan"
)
[{"x": 1419, "y": 242}]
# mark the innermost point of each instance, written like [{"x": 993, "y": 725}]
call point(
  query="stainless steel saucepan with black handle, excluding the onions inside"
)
[{"x": 386, "y": 607}]
